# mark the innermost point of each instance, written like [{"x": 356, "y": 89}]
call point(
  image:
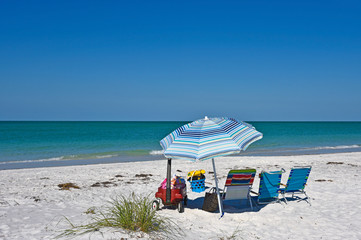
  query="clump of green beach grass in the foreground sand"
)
[{"x": 131, "y": 213}]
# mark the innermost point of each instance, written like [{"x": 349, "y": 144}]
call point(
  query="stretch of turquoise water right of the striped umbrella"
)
[{"x": 307, "y": 137}]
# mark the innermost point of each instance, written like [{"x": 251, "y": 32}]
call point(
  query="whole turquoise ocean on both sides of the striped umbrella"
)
[{"x": 44, "y": 144}]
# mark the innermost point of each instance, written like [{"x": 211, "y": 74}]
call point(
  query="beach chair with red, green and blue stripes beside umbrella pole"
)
[{"x": 238, "y": 185}]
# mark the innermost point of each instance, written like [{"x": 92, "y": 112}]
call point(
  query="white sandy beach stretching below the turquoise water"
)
[{"x": 32, "y": 206}]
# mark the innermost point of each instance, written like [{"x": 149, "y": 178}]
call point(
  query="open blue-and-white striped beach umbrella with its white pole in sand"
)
[{"x": 206, "y": 139}]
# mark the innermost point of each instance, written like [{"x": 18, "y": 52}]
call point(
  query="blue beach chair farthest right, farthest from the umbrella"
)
[{"x": 296, "y": 182}]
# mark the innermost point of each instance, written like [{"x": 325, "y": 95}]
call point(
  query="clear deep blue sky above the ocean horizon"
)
[{"x": 180, "y": 60}]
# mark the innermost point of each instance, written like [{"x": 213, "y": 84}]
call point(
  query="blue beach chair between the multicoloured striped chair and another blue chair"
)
[{"x": 269, "y": 187}]
